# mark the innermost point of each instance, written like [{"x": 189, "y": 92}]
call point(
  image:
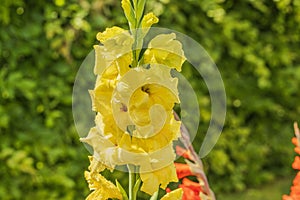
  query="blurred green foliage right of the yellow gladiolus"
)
[{"x": 254, "y": 45}]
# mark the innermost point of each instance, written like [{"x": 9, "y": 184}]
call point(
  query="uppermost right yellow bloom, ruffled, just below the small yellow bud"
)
[{"x": 165, "y": 49}]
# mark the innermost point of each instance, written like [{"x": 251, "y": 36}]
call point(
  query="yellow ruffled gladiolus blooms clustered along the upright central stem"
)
[{"x": 135, "y": 123}]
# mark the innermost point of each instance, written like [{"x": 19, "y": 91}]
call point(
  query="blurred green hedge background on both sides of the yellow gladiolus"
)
[{"x": 255, "y": 44}]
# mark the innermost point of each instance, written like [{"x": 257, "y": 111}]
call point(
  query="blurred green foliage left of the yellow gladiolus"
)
[{"x": 41, "y": 49}]
